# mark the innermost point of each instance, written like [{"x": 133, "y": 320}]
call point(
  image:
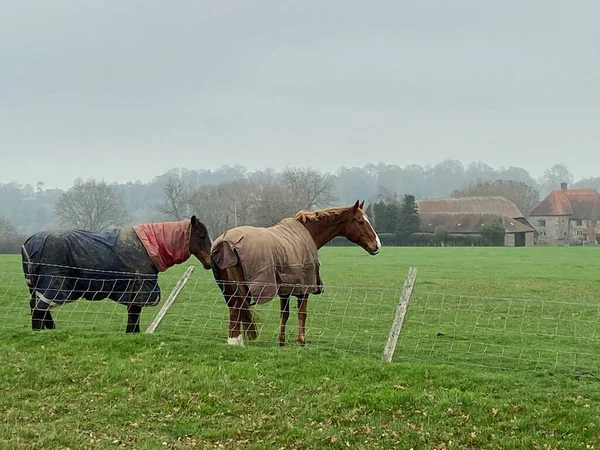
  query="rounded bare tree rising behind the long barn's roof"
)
[{"x": 523, "y": 196}]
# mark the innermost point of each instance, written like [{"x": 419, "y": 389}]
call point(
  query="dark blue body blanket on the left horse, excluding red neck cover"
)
[{"x": 63, "y": 266}]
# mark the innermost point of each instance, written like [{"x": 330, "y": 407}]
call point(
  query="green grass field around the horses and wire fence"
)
[{"x": 498, "y": 350}]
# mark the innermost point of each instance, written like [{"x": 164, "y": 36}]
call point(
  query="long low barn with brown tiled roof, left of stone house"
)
[{"x": 466, "y": 216}]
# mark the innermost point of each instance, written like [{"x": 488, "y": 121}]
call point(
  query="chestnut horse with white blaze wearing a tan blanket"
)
[{"x": 260, "y": 263}]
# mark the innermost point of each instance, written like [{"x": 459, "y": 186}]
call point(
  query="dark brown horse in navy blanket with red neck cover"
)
[{"x": 121, "y": 264}]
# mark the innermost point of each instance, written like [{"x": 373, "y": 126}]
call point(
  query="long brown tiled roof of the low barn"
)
[{"x": 498, "y": 205}]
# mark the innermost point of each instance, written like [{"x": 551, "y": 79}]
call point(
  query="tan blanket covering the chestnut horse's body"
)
[{"x": 278, "y": 260}]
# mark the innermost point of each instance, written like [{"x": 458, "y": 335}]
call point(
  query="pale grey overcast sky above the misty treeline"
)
[{"x": 125, "y": 90}]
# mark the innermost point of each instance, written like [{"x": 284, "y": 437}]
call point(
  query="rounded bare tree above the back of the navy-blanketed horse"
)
[{"x": 91, "y": 205}]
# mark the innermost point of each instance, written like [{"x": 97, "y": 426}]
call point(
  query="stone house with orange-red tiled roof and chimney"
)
[{"x": 567, "y": 216}]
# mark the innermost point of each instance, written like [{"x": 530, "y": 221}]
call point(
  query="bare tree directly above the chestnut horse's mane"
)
[{"x": 312, "y": 188}]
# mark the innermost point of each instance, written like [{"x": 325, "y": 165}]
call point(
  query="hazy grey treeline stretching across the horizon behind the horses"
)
[{"x": 232, "y": 196}]
